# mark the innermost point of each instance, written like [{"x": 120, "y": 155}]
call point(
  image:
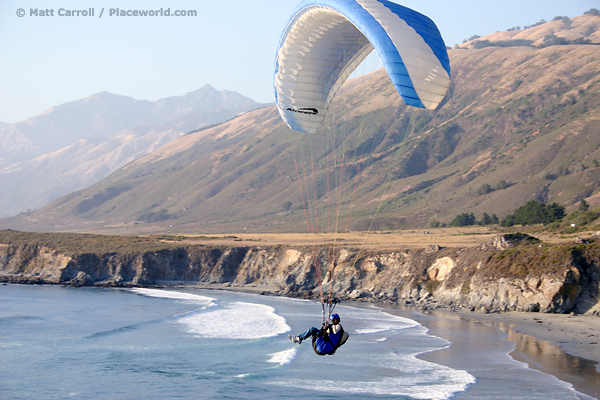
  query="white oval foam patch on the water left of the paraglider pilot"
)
[{"x": 237, "y": 321}]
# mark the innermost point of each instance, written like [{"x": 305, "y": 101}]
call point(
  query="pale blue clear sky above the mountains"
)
[{"x": 50, "y": 60}]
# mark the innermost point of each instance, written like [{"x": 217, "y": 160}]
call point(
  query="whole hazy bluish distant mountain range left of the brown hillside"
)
[{"x": 76, "y": 144}]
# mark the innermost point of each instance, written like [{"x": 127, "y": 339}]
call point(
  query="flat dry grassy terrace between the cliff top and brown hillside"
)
[{"x": 385, "y": 241}]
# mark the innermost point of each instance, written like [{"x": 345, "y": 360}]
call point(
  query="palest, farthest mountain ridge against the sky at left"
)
[{"x": 103, "y": 115}]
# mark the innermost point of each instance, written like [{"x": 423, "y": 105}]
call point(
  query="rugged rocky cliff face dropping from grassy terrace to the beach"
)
[{"x": 500, "y": 276}]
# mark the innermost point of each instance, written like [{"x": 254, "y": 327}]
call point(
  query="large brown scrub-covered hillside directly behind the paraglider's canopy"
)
[{"x": 520, "y": 123}]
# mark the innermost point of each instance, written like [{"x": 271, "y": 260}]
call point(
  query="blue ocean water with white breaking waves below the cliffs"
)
[{"x": 90, "y": 343}]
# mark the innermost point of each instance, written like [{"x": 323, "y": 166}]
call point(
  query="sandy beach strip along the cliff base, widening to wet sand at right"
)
[{"x": 560, "y": 345}]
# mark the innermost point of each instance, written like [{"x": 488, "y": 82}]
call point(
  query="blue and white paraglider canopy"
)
[{"x": 325, "y": 40}]
